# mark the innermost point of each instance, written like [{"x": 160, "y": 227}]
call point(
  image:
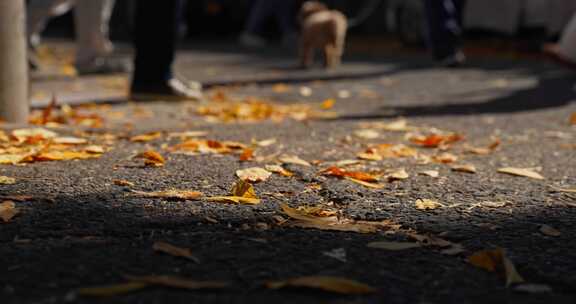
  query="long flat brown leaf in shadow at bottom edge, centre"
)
[{"x": 326, "y": 283}]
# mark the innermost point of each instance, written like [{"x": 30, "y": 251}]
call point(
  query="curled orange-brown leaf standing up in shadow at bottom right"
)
[{"x": 496, "y": 261}]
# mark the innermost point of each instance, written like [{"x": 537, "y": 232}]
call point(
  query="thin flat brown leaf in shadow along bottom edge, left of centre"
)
[{"x": 177, "y": 282}]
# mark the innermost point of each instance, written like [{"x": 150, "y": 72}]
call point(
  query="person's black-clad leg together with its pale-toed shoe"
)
[{"x": 156, "y": 35}]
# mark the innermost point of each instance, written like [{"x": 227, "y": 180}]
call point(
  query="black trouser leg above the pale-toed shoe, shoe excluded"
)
[{"x": 155, "y": 41}]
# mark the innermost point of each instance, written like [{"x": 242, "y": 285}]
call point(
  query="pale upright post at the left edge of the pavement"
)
[{"x": 14, "y": 103}]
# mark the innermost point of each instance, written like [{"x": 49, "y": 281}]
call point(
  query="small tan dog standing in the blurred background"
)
[{"x": 322, "y": 29}]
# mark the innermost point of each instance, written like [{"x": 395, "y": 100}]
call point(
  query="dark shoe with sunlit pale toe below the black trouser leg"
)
[{"x": 172, "y": 90}]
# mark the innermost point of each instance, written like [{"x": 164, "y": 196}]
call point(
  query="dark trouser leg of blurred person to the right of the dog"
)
[{"x": 444, "y": 19}]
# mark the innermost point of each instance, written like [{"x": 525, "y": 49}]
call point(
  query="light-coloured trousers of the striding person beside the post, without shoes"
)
[{"x": 91, "y": 19}]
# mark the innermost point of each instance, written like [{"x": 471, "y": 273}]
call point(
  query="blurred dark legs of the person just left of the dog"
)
[{"x": 283, "y": 11}]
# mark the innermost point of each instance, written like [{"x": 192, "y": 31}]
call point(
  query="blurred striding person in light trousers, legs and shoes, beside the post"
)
[{"x": 94, "y": 49}]
